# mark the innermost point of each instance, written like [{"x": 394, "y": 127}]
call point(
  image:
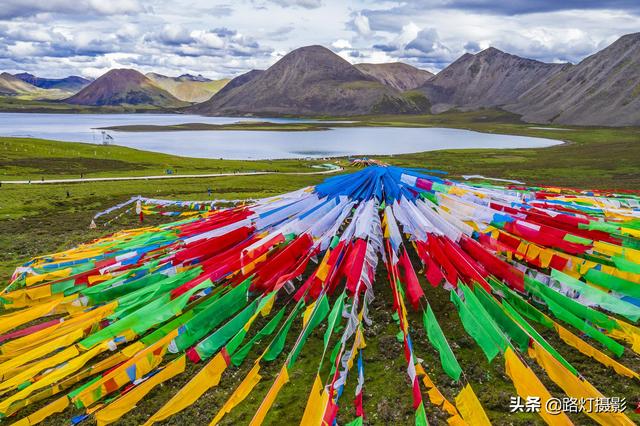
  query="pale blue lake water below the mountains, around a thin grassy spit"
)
[{"x": 253, "y": 145}]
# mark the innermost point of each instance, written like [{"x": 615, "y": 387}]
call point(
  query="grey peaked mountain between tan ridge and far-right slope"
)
[{"x": 487, "y": 79}]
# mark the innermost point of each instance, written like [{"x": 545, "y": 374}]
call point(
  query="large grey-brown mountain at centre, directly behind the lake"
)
[{"x": 311, "y": 80}]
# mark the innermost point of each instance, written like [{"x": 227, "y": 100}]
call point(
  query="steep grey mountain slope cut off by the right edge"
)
[{"x": 603, "y": 89}]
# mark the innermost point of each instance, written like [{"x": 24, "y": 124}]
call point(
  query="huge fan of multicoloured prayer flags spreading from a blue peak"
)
[{"x": 100, "y": 325}]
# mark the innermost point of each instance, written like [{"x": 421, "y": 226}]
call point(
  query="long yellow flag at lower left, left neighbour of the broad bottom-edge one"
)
[{"x": 118, "y": 408}]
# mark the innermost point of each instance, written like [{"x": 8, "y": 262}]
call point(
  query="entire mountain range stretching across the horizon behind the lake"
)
[{"x": 603, "y": 89}]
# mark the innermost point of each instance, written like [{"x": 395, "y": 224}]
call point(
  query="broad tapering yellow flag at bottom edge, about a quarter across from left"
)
[{"x": 206, "y": 378}]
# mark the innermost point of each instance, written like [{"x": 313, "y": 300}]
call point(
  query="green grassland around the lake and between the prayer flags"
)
[{"x": 37, "y": 219}]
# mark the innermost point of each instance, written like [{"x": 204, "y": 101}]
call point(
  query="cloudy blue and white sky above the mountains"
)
[{"x": 56, "y": 38}]
